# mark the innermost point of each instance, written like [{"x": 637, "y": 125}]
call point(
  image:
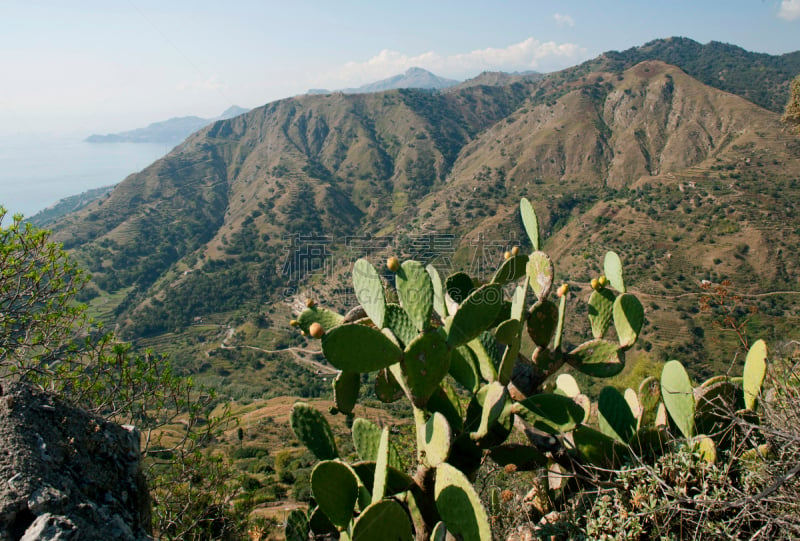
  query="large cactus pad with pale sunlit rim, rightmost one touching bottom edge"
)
[{"x": 459, "y": 505}]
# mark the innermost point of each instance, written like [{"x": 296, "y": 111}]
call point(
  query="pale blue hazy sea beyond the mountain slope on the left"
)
[{"x": 38, "y": 170}]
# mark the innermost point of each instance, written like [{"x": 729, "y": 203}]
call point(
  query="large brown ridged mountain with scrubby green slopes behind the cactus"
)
[{"x": 220, "y": 240}]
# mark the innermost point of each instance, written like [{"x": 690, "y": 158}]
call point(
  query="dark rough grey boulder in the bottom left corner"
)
[{"x": 66, "y": 474}]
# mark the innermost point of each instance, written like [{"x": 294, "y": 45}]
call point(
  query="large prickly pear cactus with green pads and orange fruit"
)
[{"x": 462, "y": 338}]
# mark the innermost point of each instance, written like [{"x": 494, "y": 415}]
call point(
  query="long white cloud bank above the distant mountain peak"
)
[{"x": 530, "y": 54}]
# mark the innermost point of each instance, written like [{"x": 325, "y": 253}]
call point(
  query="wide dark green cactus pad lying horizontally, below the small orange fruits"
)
[{"x": 358, "y": 348}]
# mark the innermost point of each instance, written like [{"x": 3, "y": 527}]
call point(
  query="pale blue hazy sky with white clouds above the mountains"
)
[{"x": 98, "y": 66}]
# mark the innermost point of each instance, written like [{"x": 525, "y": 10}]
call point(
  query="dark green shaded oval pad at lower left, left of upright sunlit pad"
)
[{"x": 335, "y": 488}]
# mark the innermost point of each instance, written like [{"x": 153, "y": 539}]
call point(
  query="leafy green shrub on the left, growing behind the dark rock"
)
[{"x": 48, "y": 340}]
